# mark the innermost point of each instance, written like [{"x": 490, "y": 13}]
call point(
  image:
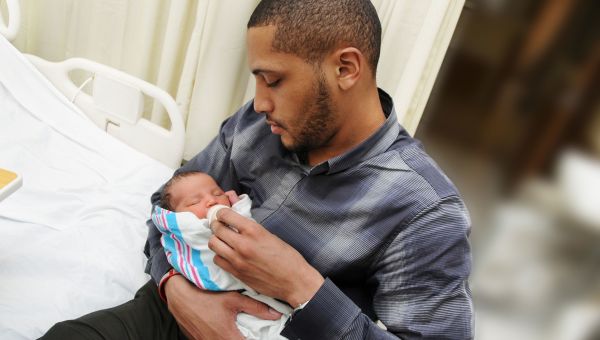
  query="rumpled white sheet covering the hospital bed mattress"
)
[{"x": 71, "y": 238}]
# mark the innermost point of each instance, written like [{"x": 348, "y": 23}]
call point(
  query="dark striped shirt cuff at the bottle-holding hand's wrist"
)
[{"x": 328, "y": 315}]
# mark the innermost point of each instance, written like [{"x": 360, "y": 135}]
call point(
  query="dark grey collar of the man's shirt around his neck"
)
[{"x": 376, "y": 144}]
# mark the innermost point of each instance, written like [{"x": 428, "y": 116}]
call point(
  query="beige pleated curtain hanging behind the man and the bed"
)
[{"x": 195, "y": 50}]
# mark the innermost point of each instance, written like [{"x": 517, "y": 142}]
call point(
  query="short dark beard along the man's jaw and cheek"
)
[{"x": 316, "y": 130}]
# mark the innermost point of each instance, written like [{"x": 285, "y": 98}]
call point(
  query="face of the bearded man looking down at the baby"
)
[{"x": 292, "y": 93}]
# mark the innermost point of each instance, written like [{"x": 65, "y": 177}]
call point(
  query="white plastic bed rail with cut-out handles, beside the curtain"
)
[{"x": 116, "y": 105}]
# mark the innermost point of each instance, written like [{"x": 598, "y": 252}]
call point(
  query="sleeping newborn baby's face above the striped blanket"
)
[{"x": 197, "y": 193}]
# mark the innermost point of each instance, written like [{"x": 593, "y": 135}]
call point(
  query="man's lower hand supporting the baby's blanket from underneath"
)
[{"x": 210, "y": 315}]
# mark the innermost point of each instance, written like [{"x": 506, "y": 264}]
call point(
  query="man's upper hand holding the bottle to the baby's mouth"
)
[{"x": 262, "y": 260}]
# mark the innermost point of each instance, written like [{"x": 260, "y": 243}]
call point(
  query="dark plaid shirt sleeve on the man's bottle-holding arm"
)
[{"x": 420, "y": 286}]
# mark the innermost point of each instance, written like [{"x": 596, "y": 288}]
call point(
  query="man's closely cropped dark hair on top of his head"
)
[{"x": 312, "y": 28}]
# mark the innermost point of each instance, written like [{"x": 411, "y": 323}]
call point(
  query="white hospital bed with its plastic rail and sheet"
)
[{"x": 71, "y": 237}]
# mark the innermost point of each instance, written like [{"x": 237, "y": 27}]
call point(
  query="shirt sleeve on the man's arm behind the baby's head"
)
[{"x": 214, "y": 160}]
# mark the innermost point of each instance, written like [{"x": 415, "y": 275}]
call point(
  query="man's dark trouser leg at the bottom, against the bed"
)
[{"x": 145, "y": 317}]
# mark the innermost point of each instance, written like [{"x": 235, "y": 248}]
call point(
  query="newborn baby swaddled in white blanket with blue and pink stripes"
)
[{"x": 190, "y": 202}]
